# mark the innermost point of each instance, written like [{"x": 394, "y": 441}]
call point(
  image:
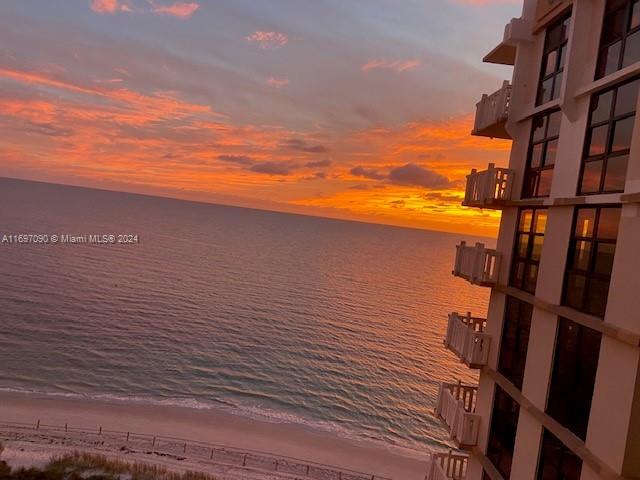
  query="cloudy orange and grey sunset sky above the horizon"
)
[{"x": 357, "y": 109}]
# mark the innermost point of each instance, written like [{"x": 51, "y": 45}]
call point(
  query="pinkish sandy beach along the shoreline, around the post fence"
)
[{"x": 278, "y": 439}]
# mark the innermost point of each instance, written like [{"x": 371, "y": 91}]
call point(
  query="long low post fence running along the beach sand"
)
[{"x": 174, "y": 448}]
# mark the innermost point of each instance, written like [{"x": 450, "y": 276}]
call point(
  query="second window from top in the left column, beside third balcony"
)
[{"x": 542, "y": 154}]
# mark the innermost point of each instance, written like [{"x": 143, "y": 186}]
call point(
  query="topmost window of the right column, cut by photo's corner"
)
[{"x": 620, "y": 39}]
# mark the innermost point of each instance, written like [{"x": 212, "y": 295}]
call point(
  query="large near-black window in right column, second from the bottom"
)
[{"x": 574, "y": 374}]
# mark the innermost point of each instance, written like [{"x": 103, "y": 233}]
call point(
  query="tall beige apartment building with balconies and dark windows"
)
[{"x": 559, "y": 350}]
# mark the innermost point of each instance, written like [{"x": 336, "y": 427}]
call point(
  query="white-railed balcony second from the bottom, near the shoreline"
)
[{"x": 456, "y": 408}]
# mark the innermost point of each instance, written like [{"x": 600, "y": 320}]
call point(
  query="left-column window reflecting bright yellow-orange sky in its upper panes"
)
[{"x": 528, "y": 248}]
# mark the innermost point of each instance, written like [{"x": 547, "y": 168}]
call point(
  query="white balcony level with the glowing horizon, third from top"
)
[{"x": 490, "y": 188}]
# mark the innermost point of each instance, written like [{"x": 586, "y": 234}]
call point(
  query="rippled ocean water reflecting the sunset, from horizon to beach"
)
[{"x": 336, "y": 325}]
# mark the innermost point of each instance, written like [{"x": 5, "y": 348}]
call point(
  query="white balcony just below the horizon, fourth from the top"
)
[{"x": 477, "y": 265}]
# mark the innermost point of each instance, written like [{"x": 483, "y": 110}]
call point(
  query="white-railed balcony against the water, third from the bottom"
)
[{"x": 466, "y": 338}]
